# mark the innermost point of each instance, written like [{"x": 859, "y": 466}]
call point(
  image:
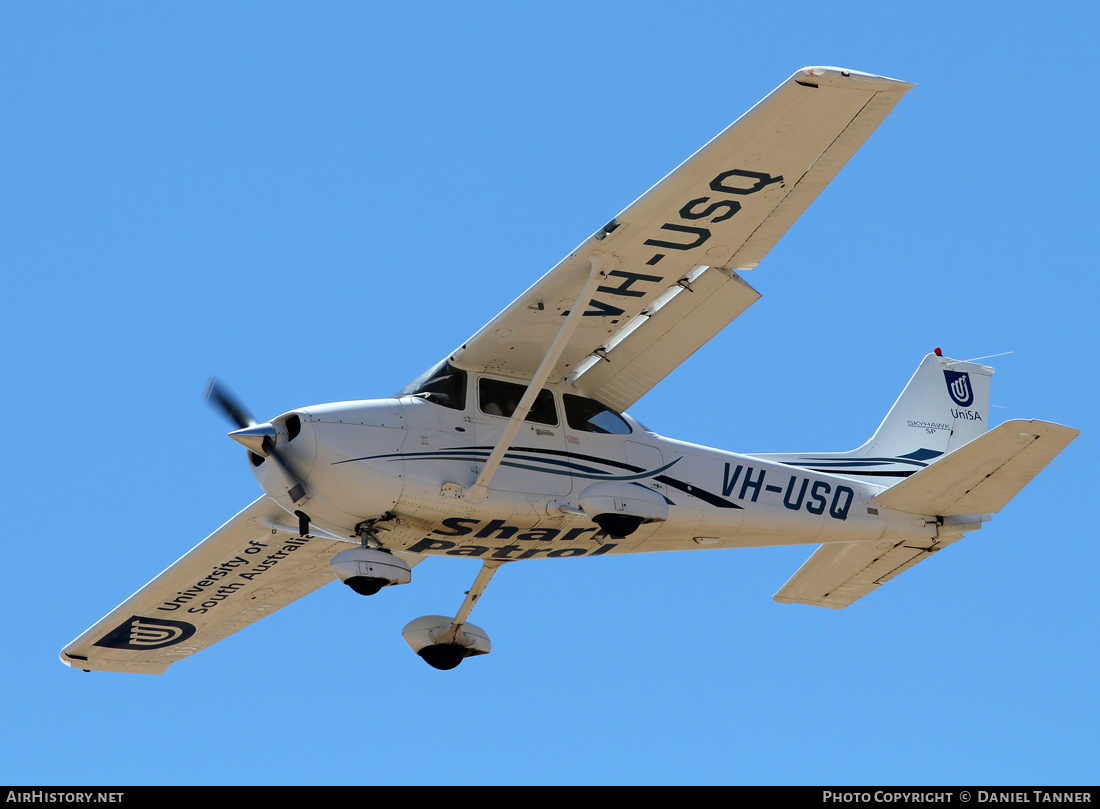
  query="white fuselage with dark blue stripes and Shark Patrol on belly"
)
[{"x": 403, "y": 465}]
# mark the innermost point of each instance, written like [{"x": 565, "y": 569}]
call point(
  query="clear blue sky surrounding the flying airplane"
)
[{"x": 317, "y": 202}]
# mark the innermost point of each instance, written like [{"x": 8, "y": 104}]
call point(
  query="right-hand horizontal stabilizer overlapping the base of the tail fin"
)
[{"x": 983, "y": 476}]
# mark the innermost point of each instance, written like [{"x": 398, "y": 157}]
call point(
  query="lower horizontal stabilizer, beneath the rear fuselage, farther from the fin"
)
[{"x": 839, "y": 574}]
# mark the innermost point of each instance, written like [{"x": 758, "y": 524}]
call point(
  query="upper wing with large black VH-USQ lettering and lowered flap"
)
[{"x": 669, "y": 259}]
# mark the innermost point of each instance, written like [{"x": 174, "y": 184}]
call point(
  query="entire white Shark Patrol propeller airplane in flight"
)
[{"x": 515, "y": 446}]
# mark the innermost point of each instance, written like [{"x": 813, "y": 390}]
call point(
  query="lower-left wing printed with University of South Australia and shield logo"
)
[{"x": 249, "y": 569}]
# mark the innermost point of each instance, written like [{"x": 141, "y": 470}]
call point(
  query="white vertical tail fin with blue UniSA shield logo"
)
[{"x": 944, "y": 407}]
